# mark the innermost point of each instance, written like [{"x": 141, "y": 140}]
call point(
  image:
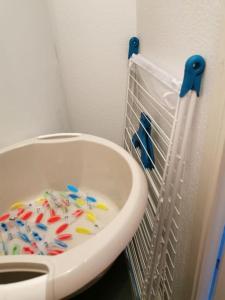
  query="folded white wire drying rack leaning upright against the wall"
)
[{"x": 170, "y": 106}]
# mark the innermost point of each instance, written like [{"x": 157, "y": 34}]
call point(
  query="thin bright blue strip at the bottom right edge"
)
[{"x": 217, "y": 265}]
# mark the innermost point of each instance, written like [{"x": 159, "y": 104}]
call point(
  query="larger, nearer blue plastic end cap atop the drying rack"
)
[{"x": 194, "y": 69}]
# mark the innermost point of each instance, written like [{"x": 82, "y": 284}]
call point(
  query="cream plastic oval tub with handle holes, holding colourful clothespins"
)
[{"x": 54, "y": 161}]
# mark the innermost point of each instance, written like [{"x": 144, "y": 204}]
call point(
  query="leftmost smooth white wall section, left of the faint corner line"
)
[{"x": 31, "y": 95}]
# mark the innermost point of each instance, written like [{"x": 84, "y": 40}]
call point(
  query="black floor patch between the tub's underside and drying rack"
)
[{"x": 115, "y": 285}]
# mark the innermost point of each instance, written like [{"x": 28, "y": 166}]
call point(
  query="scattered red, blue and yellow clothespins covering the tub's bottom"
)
[{"x": 54, "y": 222}]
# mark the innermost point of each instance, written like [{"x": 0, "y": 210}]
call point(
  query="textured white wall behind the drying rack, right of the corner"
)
[{"x": 170, "y": 32}]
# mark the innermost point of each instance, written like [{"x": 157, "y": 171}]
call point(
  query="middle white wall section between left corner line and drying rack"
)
[{"x": 92, "y": 40}]
